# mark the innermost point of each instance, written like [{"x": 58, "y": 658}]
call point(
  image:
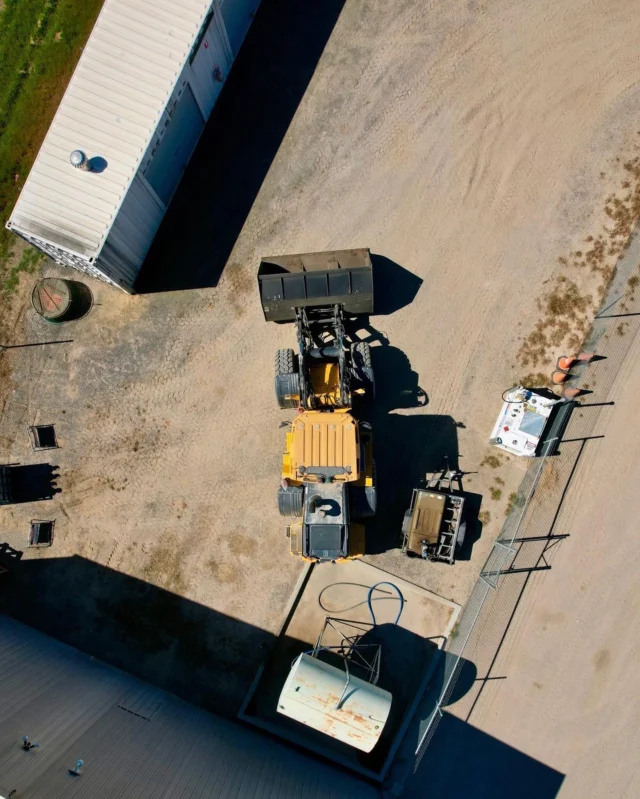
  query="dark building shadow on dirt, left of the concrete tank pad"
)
[{"x": 195, "y": 652}]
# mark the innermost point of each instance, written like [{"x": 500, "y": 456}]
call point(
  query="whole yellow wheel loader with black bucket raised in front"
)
[{"x": 328, "y": 472}]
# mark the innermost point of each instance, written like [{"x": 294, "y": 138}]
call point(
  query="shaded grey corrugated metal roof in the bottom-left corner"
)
[{"x": 136, "y": 741}]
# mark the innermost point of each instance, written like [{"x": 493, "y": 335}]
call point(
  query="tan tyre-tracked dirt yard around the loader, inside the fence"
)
[{"x": 487, "y": 153}]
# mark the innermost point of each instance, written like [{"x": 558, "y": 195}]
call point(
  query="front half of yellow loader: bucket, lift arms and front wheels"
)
[{"x": 320, "y": 292}]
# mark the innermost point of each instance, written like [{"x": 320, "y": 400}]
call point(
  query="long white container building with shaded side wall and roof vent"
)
[{"x": 138, "y": 100}]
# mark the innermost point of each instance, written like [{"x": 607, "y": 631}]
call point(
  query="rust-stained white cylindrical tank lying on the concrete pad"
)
[{"x": 314, "y": 694}]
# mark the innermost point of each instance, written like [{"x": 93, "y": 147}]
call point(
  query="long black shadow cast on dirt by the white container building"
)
[{"x": 250, "y": 119}]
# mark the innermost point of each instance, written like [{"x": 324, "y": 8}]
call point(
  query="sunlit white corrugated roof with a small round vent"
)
[{"x": 111, "y": 108}]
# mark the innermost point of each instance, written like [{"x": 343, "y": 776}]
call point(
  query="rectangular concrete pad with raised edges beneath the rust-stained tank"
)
[{"x": 409, "y": 652}]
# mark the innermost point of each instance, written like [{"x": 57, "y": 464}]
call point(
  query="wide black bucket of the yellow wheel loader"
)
[{"x": 312, "y": 280}]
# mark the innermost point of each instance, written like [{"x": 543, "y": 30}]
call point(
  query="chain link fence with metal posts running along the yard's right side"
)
[{"x": 542, "y": 510}]
